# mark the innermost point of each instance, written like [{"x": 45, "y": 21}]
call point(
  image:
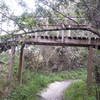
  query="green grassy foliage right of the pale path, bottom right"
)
[{"x": 79, "y": 91}]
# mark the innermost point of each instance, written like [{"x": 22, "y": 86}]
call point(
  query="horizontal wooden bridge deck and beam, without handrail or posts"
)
[{"x": 49, "y": 40}]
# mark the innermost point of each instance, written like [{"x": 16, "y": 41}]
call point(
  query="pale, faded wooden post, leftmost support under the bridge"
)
[{"x": 10, "y": 75}]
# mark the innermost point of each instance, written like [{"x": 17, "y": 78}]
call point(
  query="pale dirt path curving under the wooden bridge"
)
[{"x": 55, "y": 90}]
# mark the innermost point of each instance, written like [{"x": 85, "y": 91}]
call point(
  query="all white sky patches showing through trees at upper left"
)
[{"x": 17, "y": 10}]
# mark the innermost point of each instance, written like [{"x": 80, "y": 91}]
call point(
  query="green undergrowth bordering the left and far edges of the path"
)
[{"x": 34, "y": 82}]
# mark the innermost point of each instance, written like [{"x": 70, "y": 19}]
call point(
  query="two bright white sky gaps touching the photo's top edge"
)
[{"x": 17, "y": 9}]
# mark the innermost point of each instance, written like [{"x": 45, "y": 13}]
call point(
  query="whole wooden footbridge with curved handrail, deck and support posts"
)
[{"x": 89, "y": 42}]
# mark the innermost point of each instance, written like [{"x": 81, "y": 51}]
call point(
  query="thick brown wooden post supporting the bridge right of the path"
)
[{"x": 90, "y": 65}]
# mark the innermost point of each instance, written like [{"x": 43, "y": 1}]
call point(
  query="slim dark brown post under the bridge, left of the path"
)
[{"x": 21, "y": 59}]
